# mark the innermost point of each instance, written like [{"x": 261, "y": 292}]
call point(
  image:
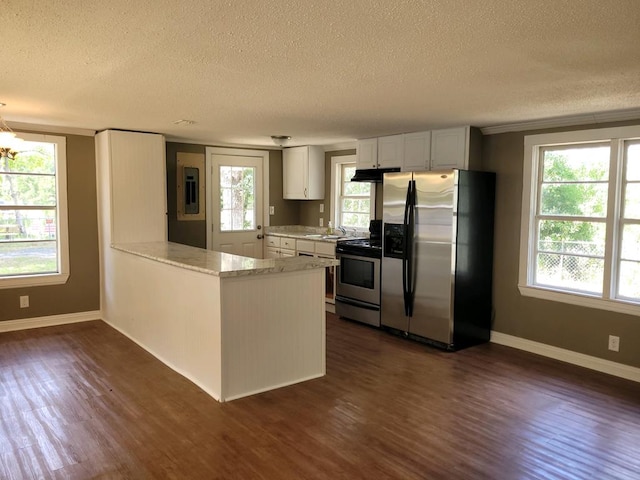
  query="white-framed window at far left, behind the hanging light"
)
[{"x": 33, "y": 214}]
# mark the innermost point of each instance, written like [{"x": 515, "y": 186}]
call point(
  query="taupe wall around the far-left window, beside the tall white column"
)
[{"x": 81, "y": 293}]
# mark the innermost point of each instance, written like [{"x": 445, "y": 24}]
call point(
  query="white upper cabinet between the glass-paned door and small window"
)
[{"x": 303, "y": 173}]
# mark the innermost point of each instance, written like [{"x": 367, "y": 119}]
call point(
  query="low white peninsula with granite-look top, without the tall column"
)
[{"x": 233, "y": 325}]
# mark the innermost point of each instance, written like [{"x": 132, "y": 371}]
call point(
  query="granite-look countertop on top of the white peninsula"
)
[{"x": 218, "y": 263}]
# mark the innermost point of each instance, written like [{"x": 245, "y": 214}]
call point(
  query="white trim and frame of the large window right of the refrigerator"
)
[{"x": 531, "y": 169}]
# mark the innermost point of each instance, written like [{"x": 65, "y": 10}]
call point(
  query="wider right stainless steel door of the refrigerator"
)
[{"x": 434, "y": 251}]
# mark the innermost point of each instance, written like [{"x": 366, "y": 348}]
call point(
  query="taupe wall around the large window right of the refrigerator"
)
[{"x": 583, "y": 330}]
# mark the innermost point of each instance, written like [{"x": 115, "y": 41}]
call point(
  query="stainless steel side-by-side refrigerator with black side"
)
[{"x": 437, "y": 258}]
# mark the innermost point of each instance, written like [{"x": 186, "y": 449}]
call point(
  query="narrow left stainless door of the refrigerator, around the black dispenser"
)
[{"x": 392, "y": 298}]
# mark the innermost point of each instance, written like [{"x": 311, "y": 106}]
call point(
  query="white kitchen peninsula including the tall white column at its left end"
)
[{"x": 233, "y": 325}]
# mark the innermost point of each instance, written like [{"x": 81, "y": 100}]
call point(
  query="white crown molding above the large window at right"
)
[{"x": 602, "y": 117}]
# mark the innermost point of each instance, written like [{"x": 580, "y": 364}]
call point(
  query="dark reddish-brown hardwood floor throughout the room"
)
[{"x": 82, "y": 401}]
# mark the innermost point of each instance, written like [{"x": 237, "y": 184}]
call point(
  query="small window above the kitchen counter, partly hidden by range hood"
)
[{"x": 354, "y": 202}]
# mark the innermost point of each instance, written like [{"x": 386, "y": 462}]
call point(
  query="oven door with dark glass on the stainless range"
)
[{"x": 359, "y": 278}]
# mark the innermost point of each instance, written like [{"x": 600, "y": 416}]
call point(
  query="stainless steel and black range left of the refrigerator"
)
[{"x": 358, "y": 278}]
